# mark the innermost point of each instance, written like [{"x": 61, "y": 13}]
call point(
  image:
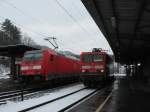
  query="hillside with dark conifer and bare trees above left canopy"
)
[{"x": 11, "y": 35}]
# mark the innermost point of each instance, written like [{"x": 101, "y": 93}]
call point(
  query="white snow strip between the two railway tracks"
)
[{"x": 16, "y": 106}]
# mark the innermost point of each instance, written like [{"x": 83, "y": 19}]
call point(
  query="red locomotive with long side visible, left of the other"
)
[{"x": 49, "y": 65}]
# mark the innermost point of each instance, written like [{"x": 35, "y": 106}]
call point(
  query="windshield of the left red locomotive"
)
[{"x": 33, "y": 56}]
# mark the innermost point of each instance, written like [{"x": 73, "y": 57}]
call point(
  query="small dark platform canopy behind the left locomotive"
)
[{"x": 15, "y": 50}]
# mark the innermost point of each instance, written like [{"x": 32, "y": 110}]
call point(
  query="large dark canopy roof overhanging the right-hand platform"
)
[{"x": 126, "y": 26}]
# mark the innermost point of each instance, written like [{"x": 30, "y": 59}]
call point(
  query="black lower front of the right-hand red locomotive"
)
[{"x": 94, "y": 80}]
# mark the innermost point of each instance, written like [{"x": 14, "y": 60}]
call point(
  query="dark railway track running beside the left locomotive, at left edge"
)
[{"x": 29, "y": 92}]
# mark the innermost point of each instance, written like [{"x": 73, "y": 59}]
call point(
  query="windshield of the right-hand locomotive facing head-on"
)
[{"x": 92, "y": 58}]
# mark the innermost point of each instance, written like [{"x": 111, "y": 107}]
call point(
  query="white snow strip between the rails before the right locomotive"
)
[{"x": 62, "y": 103}]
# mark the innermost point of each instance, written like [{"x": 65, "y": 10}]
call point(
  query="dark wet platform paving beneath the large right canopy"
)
[{"x": 128, "y": 96}]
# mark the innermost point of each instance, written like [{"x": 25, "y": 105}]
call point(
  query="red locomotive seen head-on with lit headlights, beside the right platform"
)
[{"x": 97, "y": 67}]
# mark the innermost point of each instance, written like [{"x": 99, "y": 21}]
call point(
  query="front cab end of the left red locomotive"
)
[{"x": 34, "y": 64}]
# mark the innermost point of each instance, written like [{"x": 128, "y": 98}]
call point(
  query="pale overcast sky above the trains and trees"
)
[{"x": 75, "y": 31}]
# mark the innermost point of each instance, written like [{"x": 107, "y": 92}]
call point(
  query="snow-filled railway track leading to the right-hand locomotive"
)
[{"x": 86, "y": 93}]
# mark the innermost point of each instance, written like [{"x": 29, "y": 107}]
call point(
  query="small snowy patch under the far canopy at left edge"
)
[{"x": 4, "y": 71}]
